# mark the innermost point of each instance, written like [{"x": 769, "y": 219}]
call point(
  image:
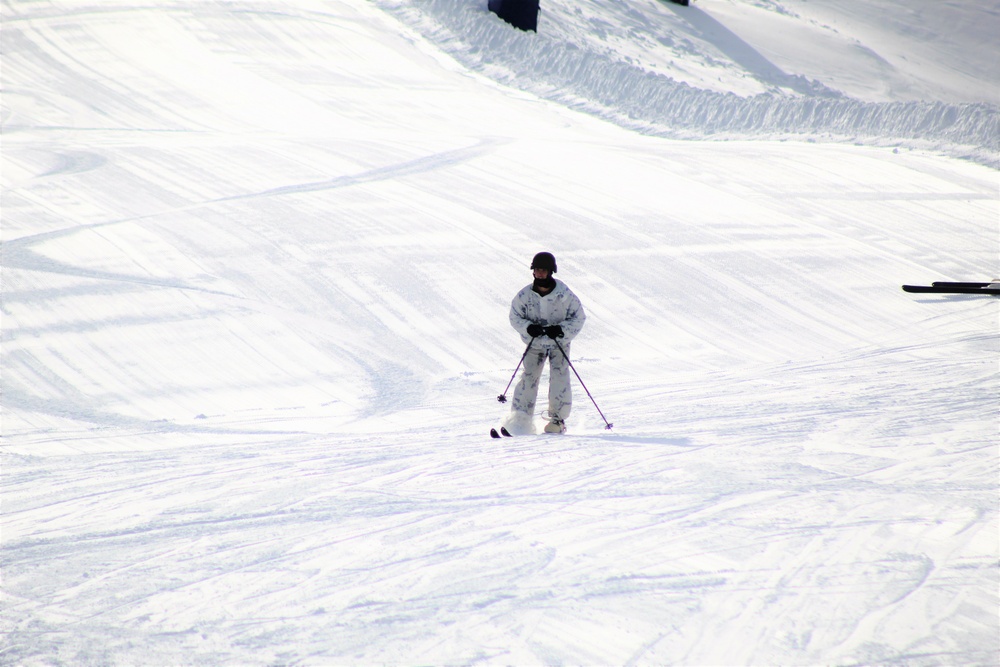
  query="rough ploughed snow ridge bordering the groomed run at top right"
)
[{"x": 622, "y": 92}]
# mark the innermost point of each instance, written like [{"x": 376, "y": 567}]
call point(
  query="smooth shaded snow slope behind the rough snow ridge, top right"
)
[{"x": 887, "y": 51}]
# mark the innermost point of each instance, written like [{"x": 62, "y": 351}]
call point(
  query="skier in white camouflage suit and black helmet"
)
[{"x": 548, "y": 316}]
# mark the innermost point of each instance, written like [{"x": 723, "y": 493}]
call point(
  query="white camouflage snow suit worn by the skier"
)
[{"x": 562, "y": 307}]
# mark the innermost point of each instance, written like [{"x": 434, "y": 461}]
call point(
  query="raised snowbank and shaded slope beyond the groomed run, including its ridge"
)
[{"x": 683, "y": 71}]
